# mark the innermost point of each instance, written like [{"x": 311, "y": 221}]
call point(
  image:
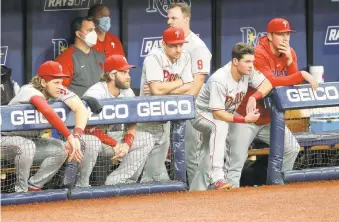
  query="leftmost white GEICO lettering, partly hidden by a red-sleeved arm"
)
[{"x": 21, "y": 117}]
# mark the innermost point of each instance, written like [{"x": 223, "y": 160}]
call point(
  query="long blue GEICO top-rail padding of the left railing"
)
[{"x": 120, "y": 110}]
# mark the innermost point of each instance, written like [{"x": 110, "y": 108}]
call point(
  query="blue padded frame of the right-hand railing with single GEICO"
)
[{"x": 298, "y": 97}]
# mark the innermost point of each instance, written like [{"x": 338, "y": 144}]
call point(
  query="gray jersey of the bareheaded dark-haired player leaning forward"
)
[{"x": 222, "y": 92}]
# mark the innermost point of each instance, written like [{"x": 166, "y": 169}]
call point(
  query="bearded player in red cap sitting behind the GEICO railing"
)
[{"x": 115, "y": 83}]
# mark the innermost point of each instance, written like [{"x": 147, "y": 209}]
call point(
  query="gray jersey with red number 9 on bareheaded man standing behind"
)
[{"x": 200, "y": 54}]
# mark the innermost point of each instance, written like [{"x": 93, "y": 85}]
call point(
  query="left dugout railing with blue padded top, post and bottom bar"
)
[{"x": 174, "y": 109}]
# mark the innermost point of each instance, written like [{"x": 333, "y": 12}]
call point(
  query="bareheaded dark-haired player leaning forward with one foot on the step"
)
[{"x": 216, "y": 104}]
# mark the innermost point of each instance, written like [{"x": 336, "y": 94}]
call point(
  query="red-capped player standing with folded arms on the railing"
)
[{"x": 167, "y": 70}]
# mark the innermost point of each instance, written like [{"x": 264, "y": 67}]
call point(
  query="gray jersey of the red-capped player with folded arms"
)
[{"x": 157, "y": 67}]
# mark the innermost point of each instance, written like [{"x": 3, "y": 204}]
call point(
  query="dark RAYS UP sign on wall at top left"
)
[{"x": 60, "y": 5}]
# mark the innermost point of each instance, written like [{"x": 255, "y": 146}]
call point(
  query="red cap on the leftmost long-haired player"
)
[{"x": 51, "y": 70}]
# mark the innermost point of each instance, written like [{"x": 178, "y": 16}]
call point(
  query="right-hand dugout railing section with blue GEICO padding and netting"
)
[{"x": 317, "y": 132}]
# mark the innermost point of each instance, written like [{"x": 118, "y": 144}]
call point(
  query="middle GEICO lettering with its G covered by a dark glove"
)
[{"x": 119, "y": 111}]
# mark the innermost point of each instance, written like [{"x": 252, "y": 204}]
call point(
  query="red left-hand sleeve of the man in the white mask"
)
[{"x": 66, "y": 61}]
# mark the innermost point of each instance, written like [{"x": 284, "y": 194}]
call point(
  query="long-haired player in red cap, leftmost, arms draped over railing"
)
[{"x": 46, "y": 86}]
